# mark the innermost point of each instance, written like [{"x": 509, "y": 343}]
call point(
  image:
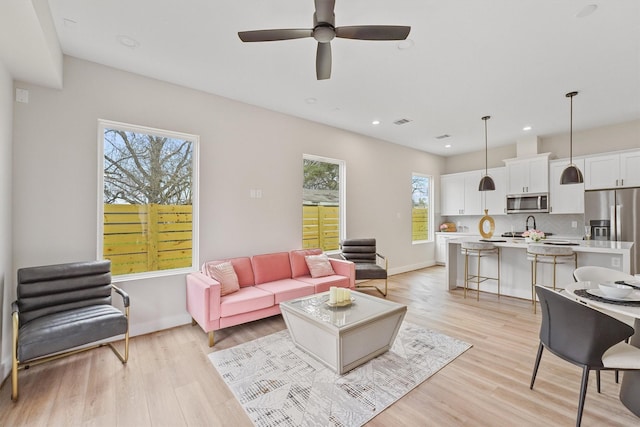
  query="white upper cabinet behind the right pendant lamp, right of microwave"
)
[{"x": 567, "y": 198}]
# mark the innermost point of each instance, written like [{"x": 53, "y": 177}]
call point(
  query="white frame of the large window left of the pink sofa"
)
[{"x": 195, "y": 162}]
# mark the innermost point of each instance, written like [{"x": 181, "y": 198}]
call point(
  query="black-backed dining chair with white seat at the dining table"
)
[{"x": 584, "y": 337}]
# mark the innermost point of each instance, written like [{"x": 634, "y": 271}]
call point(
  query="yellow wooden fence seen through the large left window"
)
[{"x": 139, "y": 238}]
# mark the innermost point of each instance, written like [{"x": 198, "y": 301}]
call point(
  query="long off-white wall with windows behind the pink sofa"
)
[{"x": 242, "y": 147}]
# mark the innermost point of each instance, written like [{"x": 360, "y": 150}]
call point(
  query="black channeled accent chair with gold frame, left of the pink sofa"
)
[{"x": 62, "y": 307}]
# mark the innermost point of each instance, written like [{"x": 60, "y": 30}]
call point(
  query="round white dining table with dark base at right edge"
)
[{"x": 587, "y": 293}]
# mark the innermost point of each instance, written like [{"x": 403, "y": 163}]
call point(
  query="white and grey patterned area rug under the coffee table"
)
[{"x": 278, "y": 384}]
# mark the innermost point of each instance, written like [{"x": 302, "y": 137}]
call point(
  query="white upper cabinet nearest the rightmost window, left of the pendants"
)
[{"x": 459, "y": 194}]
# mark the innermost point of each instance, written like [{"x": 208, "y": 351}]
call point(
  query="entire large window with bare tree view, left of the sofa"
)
[{"x": 147, "y": 205}]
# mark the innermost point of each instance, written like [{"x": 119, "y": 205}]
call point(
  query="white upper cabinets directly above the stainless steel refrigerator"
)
[{"x": 615, "y": 170}]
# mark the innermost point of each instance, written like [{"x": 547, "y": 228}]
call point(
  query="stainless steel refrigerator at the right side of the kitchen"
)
[{"x": 615, "y": 215}]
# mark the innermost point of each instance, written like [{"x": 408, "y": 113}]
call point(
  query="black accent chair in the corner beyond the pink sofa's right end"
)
[{"x": 362, "y": 252}]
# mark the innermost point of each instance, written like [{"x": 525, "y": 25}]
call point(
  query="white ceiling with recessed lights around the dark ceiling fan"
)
[{"x": 513, "y": 60}]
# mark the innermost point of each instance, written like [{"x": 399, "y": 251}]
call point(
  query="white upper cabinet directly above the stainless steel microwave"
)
[{"x": 528, "y": 175}]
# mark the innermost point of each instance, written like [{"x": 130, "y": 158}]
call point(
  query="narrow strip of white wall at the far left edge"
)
[{"x": 7, "y": 293}]
